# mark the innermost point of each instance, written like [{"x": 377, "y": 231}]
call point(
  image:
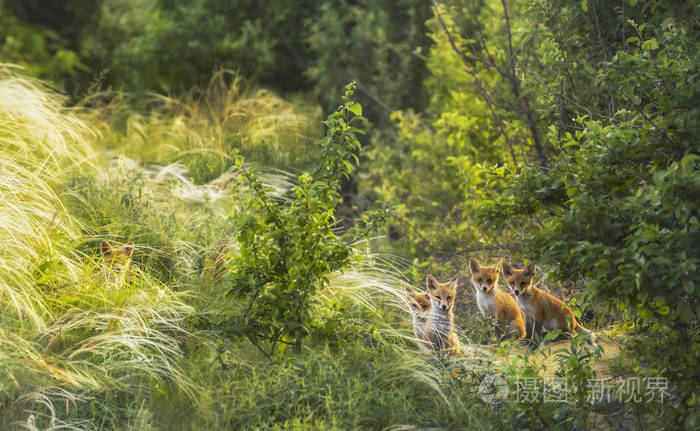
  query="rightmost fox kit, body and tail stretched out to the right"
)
[{"x": 545, "y": 311}]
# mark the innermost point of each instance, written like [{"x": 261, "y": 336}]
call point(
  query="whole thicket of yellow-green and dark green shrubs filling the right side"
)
[{"x": 565, "y": 133}]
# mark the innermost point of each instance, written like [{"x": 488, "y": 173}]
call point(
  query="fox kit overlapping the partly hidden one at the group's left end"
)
[{"x": 442, "y": 300}]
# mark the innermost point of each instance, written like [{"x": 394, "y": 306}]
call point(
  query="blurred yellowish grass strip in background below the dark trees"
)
[{"x": 204, "y": 130}]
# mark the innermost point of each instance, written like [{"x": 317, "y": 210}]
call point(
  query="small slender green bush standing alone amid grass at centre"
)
[{"x": 288, "y": 248}]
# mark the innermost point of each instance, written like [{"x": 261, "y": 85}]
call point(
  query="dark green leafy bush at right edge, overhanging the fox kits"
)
[{"x": 618, "y": 202}]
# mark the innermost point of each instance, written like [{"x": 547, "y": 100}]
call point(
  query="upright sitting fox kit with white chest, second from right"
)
[{"x": 495, "y": 303}]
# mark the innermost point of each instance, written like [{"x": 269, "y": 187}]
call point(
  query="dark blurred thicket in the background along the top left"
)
[{"x": 139, "y": 46}]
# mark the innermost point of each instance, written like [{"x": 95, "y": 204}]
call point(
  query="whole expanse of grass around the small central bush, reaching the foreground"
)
[{"x": 80, "y": 349}]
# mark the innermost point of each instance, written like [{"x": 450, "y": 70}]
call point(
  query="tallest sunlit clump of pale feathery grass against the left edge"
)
[{"x": 40, "y": 144}]
